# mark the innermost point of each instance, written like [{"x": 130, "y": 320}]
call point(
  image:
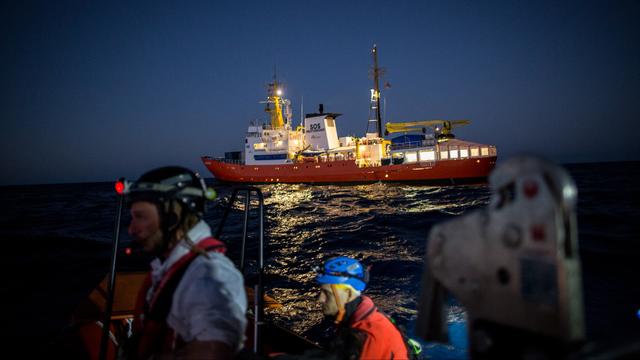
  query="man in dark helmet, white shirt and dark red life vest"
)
[{"x": 193, "y": 304}]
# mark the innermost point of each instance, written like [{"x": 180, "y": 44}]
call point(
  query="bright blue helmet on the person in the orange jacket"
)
[{"x": 344, "y": 270}]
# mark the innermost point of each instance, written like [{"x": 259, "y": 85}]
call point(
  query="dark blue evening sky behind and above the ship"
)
[{"x": 91, "y": 92}]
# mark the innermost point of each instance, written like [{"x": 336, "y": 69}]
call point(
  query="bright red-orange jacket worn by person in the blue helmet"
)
[{"x": 382, "y": 339}]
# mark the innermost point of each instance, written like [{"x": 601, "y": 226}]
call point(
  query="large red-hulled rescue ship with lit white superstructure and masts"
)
[{"x": 424, "y": 151}]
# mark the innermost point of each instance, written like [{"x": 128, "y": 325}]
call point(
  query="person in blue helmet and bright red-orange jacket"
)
[{"x": 363, "y": 332}]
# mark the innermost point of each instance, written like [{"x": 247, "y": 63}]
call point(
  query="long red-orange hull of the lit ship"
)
[{"x": 346, "y": 171}]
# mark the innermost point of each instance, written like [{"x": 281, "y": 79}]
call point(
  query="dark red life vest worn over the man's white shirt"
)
[{"x": 150, "y": 328}]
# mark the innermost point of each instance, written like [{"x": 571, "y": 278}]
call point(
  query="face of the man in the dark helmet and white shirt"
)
[{"x": 145, "y": 226}]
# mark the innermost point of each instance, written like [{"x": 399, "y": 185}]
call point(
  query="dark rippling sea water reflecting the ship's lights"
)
[{"x": 57, "y": 244}]
